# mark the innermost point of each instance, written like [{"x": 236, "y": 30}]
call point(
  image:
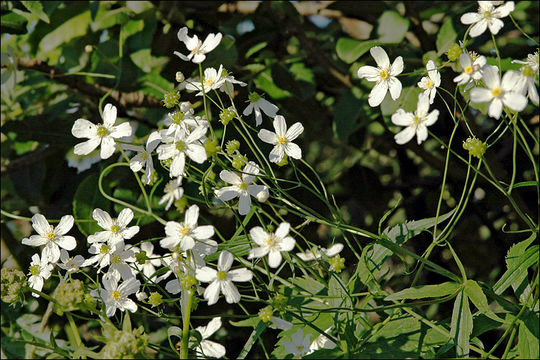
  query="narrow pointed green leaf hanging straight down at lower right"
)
[{"x": 461, "y": 325}]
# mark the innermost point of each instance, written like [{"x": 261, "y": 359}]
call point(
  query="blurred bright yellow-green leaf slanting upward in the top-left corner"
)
[{"x": 72, "y": 28}]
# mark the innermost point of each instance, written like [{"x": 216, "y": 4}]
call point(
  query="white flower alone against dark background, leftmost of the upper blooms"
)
[{"x": 103, "y": 134}]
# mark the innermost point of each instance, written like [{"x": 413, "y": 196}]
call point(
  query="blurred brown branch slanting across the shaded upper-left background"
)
[{"x": 126, "y": 100}]
